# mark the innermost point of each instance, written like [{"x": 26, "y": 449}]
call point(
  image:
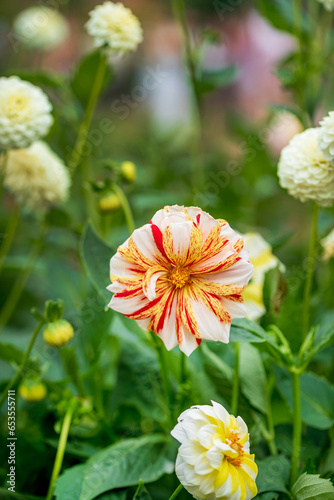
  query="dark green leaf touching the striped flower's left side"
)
[{"x": 96, "y": 254}]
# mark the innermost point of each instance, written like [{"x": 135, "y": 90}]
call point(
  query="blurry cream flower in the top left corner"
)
[{"x": 40, "y": 28}]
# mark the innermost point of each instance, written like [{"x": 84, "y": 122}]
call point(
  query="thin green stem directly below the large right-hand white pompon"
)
[{"x": 310, "y": 271}]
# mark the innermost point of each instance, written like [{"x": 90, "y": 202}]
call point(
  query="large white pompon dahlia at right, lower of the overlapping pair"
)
[{"x": 304, "y": 171}]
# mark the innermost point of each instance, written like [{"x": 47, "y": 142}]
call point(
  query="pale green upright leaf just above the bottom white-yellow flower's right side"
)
[{"x": 253, "y": 377}]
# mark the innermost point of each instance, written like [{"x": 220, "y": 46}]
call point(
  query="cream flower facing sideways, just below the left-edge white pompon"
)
[{"x": 37, "y": 177}]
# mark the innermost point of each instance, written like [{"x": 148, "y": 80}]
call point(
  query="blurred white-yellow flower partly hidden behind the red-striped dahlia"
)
[{"x": 262, "y": 258}]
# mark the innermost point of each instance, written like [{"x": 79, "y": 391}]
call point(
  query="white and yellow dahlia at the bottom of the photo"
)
[{"x": 213, "y": 461}]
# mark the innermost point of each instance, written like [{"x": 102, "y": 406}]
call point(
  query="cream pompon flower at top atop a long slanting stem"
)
[{"x": 115, "y": 27}]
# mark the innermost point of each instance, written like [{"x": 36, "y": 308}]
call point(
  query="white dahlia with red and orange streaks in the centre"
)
[{"x": 182, "y": 276}]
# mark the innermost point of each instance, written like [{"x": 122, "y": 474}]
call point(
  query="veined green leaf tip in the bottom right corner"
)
[{"x": 312, "y": 486}]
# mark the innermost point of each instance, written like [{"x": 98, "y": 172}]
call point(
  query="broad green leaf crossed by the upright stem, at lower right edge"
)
[{"x": 317, "y": 397}]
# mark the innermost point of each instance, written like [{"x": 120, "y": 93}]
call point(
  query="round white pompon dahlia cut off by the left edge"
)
[{"x": 25, "y": 113}]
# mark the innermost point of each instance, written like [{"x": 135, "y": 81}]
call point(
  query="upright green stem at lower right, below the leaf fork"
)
[{"x": 297, "y": 427}]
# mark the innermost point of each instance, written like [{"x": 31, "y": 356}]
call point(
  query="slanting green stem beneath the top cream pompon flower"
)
[{"x": 77, "y": 152}]
